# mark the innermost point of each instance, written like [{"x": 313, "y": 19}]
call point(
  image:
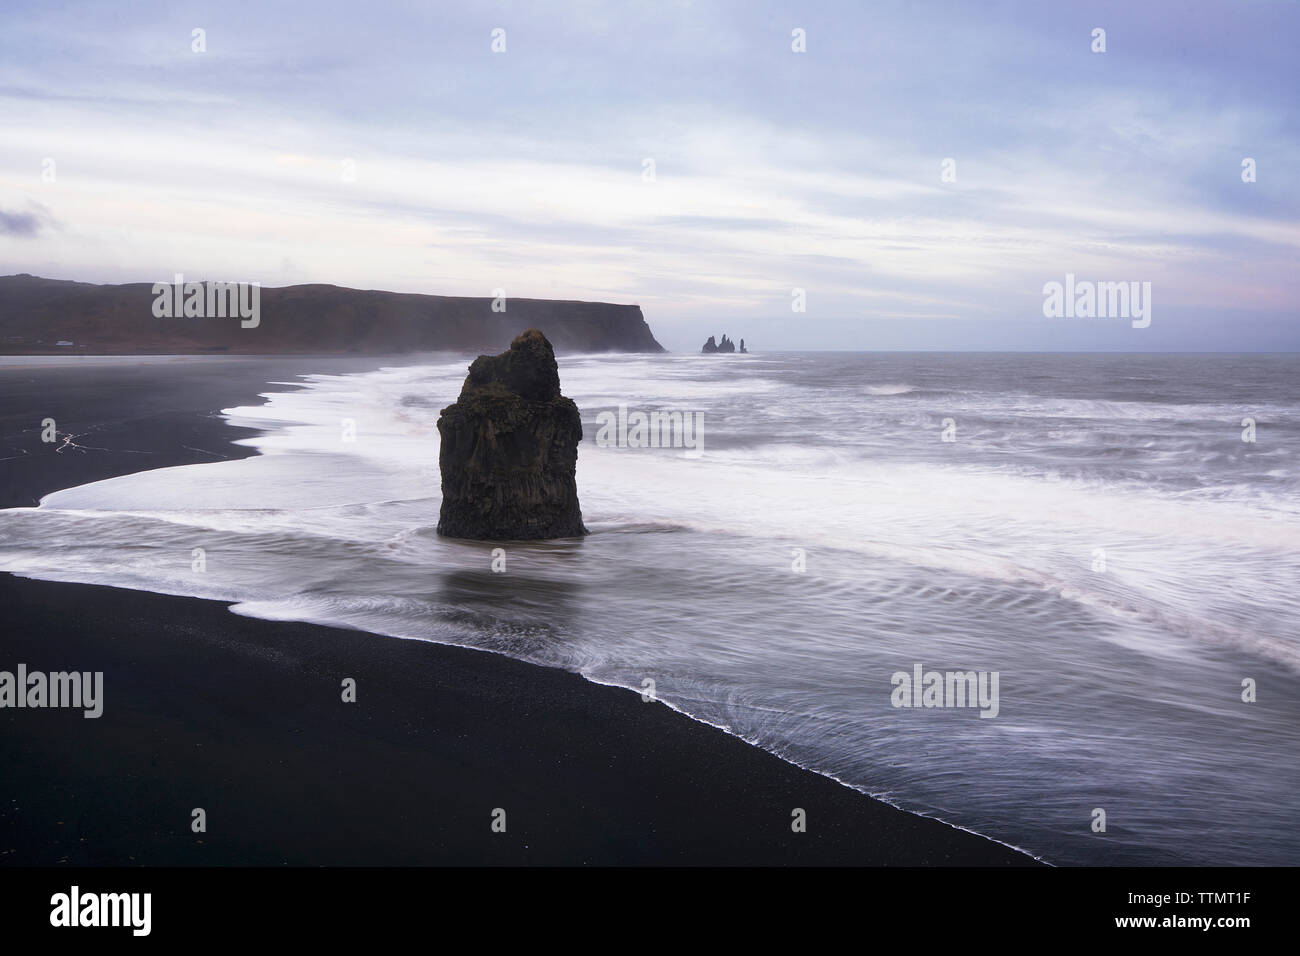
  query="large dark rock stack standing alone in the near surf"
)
[{"x": 509, "y": 456}]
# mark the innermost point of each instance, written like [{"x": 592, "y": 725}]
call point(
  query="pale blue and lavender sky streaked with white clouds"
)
[{"x": 388, "y": 146}]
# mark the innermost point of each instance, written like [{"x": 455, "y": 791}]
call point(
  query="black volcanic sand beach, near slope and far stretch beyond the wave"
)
[{"x": 245, "y": 719}]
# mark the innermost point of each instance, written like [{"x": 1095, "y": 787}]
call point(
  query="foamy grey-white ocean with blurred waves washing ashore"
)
[{"x": 1116, "y": 539}]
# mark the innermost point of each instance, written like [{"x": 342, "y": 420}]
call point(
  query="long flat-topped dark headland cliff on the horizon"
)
[{"x": 38, "y": 314}]
